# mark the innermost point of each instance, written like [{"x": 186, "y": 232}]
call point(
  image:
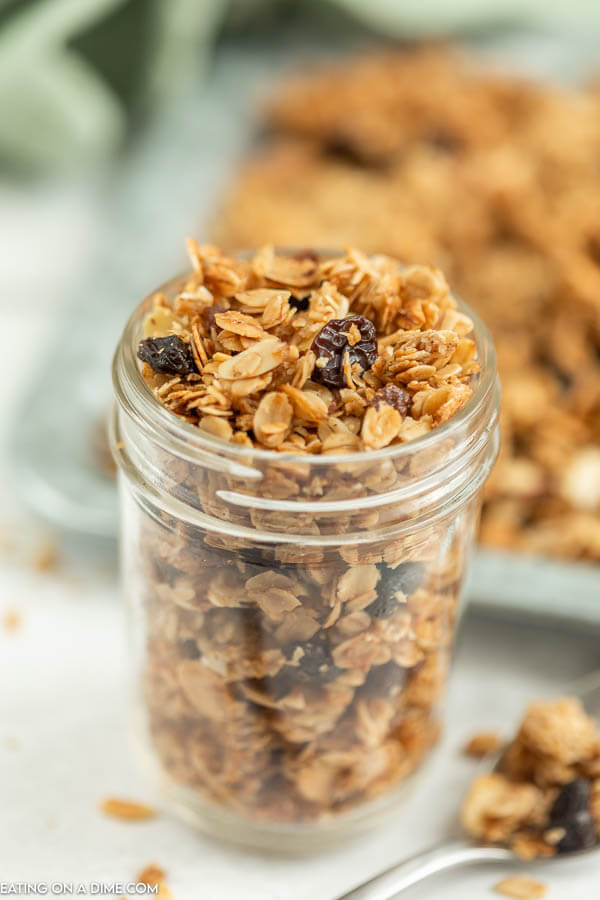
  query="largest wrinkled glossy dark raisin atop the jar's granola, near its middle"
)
[{"x": 331, "y": 344}]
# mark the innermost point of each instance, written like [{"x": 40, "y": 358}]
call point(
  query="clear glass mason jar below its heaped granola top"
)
[{"x": 292, "y": 616}]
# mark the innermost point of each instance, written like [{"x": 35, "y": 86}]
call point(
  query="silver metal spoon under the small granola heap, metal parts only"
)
[{"x": 452, "y": 854}]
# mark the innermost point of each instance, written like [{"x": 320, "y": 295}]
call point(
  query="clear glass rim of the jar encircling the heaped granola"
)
[{"x": 136, "y": 396}]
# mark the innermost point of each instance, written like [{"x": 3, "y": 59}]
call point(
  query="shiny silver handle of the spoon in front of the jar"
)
[{"x": 429, "y": 862}]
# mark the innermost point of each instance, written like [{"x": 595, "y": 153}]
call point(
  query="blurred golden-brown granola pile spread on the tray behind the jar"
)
[{"x": 496, "y": 180}]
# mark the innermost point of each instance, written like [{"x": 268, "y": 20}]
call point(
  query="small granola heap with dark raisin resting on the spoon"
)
[{"x": 544, "y": 797}]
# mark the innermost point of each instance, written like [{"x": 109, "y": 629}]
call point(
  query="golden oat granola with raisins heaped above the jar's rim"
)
[{"x": 309, "y": 354}]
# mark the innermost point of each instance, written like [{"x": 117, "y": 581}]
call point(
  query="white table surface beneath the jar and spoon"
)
[{"x": 63, "y": 713}]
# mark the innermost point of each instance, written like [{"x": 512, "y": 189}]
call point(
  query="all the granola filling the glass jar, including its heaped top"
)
[{"x": 290, "y": 680}]
